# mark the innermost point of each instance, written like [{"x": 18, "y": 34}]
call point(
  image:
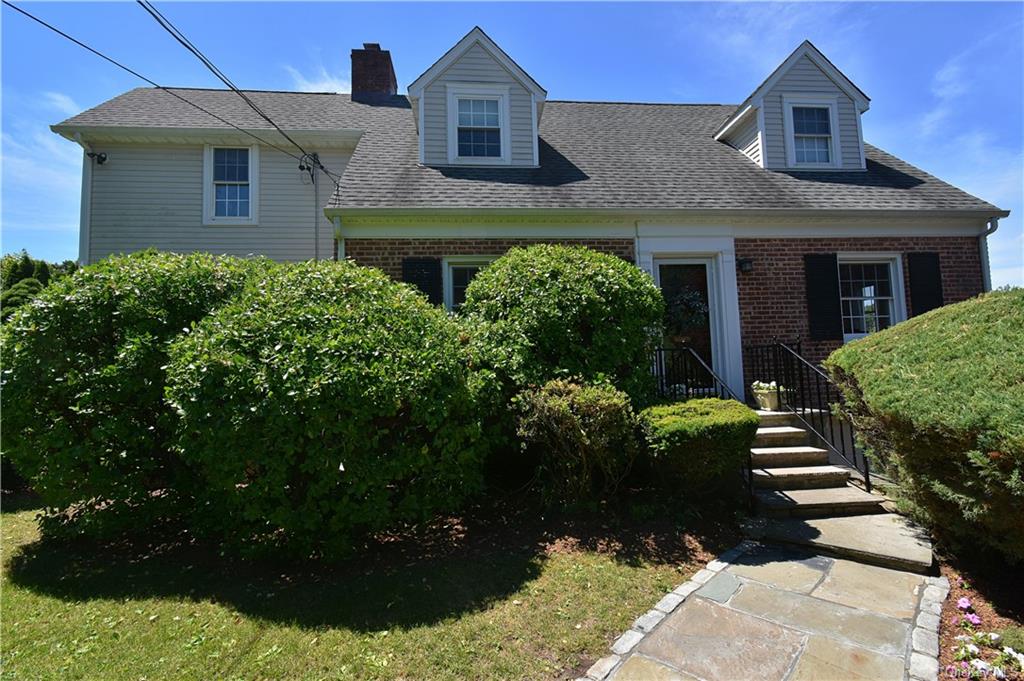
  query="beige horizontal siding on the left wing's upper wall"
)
[{"x": 152, "y": 197}]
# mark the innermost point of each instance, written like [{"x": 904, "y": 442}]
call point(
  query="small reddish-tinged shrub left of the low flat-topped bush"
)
[{"x": 584, "y": 438}]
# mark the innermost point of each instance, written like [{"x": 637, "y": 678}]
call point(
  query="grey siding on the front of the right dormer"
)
[{"x": 806, "y": 79}]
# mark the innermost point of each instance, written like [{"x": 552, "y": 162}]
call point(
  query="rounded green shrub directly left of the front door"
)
[{"x": 556, "y": 312}]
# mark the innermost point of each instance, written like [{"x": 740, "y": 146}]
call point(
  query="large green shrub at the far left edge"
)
[{"x": 84, "y": 417}]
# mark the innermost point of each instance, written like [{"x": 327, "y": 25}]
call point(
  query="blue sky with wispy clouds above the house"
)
[{"x": 946, "y": 79}]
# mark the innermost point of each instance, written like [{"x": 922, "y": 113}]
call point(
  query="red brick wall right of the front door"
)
[{"x": 773, "y": 297}]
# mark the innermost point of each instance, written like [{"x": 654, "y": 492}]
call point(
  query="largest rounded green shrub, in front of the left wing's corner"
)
[{"x": 324, "y": 403}]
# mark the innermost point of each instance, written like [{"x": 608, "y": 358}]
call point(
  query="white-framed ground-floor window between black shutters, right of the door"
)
[{"x": 871, "y": 288}]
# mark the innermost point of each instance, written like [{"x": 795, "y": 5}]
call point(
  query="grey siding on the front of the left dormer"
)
[{"x": 477, "y": 66}]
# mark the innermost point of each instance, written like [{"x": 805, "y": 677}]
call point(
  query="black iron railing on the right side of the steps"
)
[{"x": 807, "y": 392}]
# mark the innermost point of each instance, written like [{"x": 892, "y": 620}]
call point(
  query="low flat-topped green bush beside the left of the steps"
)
[{"x": 700, "y": 446}]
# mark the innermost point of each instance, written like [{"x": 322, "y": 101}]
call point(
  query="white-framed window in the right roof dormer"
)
[{"x": 812, "y": 127}]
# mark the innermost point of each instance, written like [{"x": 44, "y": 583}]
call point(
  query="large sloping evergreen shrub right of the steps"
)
[{"x": 940, "y": 401}]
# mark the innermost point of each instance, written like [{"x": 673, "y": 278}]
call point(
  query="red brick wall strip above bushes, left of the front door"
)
[{"x": 388, "y": 253}]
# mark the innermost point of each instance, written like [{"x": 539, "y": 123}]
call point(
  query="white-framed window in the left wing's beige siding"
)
[{"x": 231, "y": 185}]
